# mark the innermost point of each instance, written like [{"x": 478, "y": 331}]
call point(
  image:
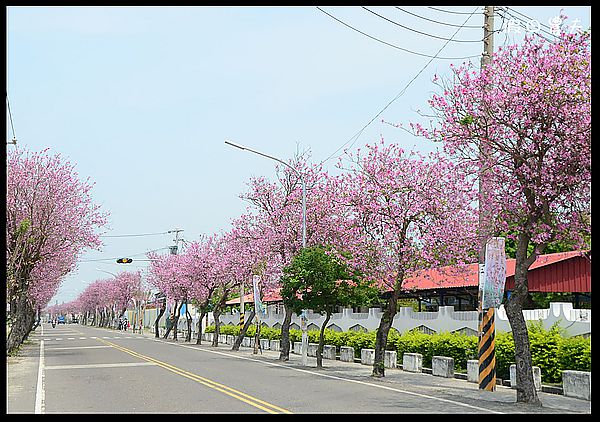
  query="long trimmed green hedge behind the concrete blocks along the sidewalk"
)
[{"x": 551, "y": 350}]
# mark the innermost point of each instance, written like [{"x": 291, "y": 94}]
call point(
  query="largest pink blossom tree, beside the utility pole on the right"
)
[{"x": 529, "y": 110}]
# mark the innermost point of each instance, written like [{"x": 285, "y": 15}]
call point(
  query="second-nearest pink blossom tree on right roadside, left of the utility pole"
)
[{"x": 412, "y": 214}]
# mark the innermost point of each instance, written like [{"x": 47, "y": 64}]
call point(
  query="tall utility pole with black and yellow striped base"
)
[{"x": 486, "y": 352}]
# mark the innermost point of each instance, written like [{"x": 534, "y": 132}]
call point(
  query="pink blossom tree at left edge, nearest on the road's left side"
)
[{"x": 50, "y": 220}]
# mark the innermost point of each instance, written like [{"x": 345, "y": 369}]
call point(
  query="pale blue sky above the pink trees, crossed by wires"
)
[{"x": 142, "y": 98}]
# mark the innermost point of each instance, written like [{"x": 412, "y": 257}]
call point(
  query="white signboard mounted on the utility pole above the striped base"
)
[{"x": 493, "y": 277}]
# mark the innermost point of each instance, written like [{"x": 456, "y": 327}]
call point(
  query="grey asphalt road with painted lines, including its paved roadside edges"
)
[{"x": 80, "y": 369}]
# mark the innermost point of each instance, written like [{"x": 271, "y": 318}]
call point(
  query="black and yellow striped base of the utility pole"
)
[{"x": 486, "y": 351}]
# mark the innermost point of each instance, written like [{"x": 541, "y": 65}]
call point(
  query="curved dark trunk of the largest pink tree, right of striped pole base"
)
[{"x": 526, "y": 392}]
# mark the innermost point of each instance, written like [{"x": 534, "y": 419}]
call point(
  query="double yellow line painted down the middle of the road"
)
[{"x": 252, "y": 401}]
